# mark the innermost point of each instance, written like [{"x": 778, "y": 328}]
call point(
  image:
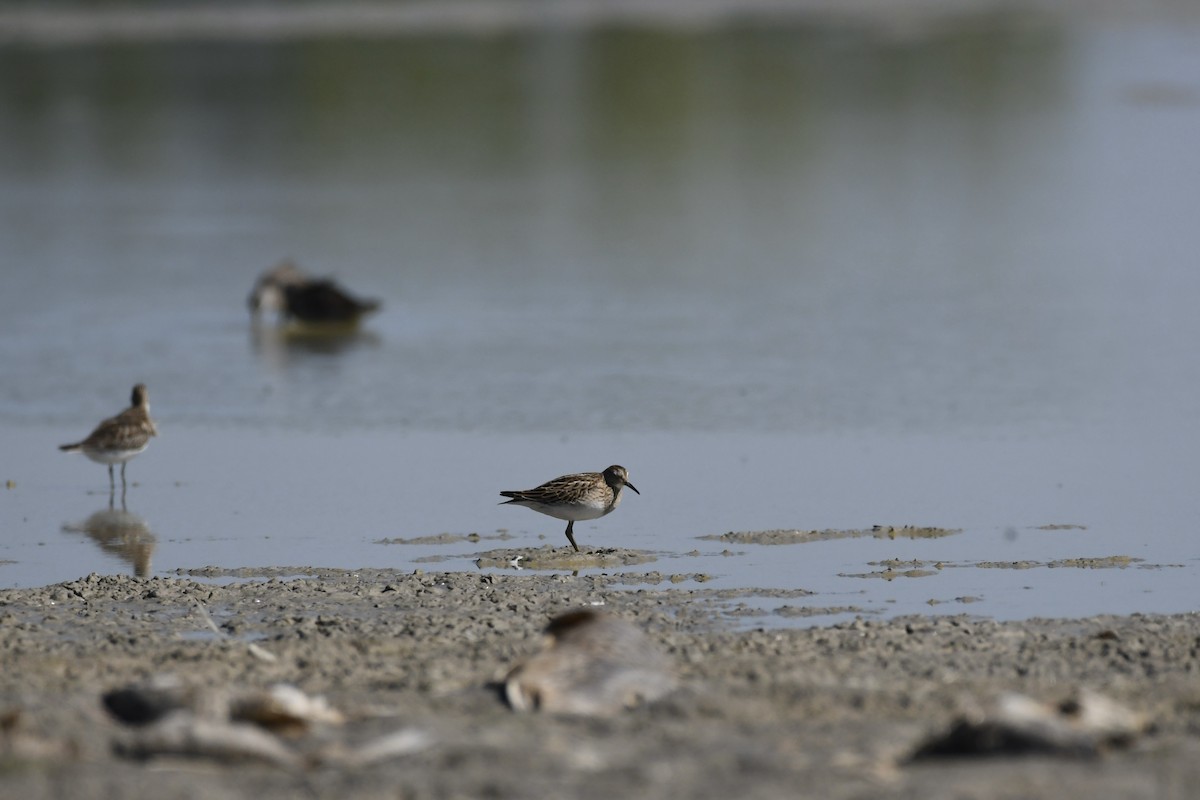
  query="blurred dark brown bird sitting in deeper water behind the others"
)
[{"x": 291, "y": 293}]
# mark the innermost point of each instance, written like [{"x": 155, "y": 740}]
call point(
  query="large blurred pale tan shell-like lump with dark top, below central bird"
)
[{"x": 592, "y": 664}]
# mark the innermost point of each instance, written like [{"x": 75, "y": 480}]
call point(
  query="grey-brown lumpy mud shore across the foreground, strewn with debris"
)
[{"x": 835, "y": 712}]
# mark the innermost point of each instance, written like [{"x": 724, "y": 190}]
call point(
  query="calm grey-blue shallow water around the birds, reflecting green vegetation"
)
[{"x": 806, "y": 278}]
